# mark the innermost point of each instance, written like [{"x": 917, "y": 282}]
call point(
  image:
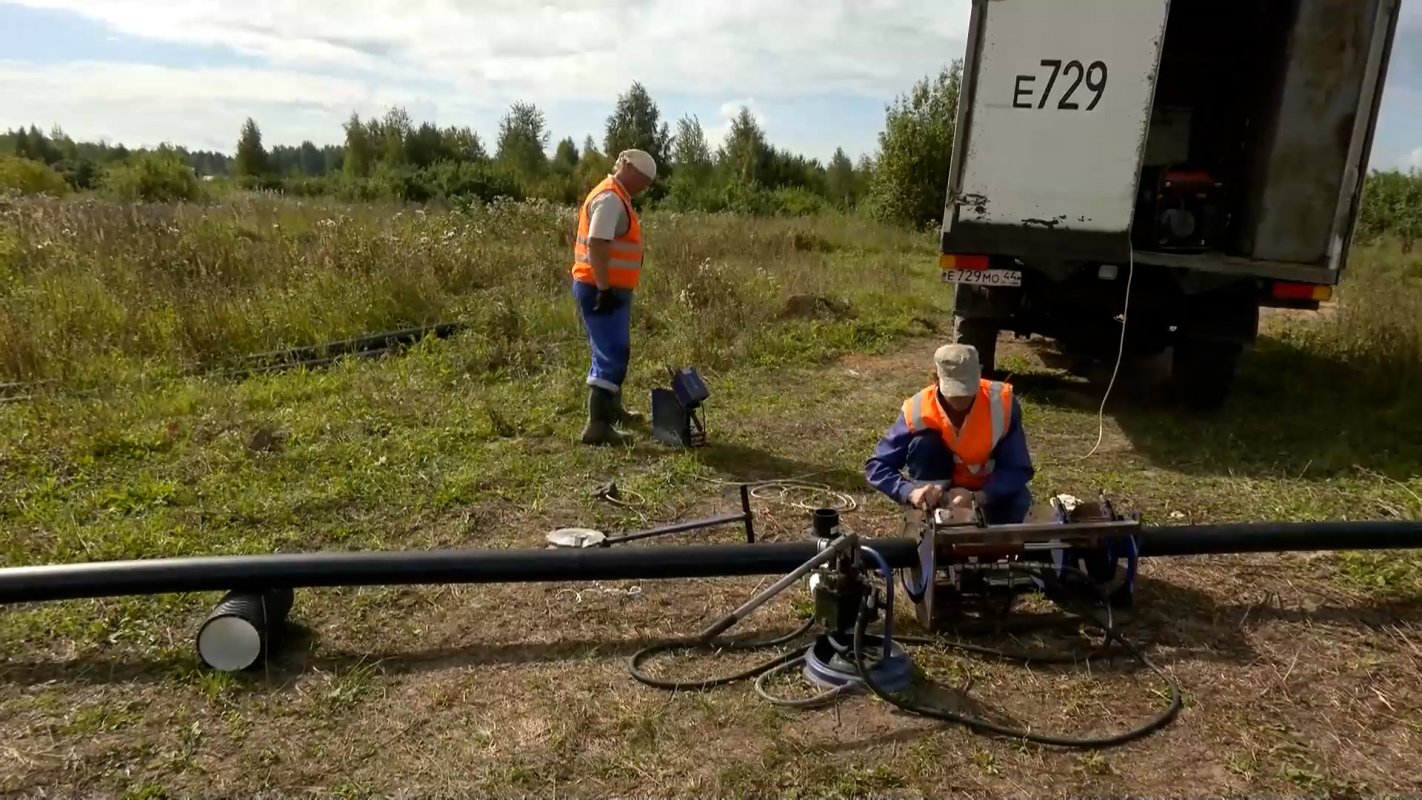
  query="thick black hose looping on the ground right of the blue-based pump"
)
[{"x": 988, "y": 727}]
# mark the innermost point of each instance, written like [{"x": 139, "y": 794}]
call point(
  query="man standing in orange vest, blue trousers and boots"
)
[{"x": 606, "y": 272}]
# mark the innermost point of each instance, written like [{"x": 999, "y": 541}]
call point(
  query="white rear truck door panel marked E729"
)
[{"x": 1052, "y": 129}]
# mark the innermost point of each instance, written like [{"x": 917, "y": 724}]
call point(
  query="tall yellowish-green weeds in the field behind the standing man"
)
[{"x": 95, "y": 291}]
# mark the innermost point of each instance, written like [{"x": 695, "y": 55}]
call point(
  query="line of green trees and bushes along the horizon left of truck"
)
[{"x": 395, "y": 157}]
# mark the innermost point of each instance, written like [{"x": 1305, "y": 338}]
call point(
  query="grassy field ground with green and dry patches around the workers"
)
[{"x": 1302, "y": 673}]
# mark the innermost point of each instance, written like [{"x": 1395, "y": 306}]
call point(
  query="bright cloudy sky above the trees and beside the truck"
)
[{"x": 817, "y": 73}]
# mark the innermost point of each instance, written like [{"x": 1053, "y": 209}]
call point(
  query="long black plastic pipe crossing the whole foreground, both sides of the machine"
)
[{"x": 255, "y": 573}]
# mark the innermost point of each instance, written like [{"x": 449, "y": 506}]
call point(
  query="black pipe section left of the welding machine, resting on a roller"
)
[{"x": 296, "y": 571}]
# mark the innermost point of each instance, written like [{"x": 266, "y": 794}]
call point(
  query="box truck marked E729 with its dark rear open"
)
[{"x": 1138, "y": 177}]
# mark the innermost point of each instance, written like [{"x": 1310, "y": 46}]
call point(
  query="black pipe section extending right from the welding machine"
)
[{"x": 1281, "y": 538}]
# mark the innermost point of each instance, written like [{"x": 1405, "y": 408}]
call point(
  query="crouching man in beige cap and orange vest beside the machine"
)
[{"x": 962, "y": 440}]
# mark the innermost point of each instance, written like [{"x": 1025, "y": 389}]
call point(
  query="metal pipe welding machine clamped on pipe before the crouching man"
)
[{"x": 968, "y": 565}]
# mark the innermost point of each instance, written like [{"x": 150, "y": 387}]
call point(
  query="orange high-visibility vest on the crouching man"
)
[{"x": 983, "y": 428}]
